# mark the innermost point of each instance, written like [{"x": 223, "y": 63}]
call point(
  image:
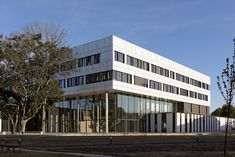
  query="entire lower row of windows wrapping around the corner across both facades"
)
[{"x": 124, "y": 77}]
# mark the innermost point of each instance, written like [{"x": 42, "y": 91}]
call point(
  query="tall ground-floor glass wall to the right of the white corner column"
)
[{"x": 135, "y": 113}]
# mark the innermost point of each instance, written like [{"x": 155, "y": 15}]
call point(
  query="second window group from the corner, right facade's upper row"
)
[{"x": 137, "y": 63}]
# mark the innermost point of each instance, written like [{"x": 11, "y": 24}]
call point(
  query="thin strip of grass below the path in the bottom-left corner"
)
[{"x": 32, "y": 154}]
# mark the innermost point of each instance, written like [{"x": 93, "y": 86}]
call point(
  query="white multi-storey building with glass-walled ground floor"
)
[{"x": 116, "y": 86}]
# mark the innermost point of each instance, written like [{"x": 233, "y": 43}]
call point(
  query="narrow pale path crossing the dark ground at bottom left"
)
[{"x": 67, "y": 153}]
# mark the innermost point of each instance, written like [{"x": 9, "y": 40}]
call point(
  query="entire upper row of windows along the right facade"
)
[{"x": 158, "y": 70}]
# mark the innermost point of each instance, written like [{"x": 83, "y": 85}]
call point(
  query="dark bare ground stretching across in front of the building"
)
[{"x": 138, "y": 146}]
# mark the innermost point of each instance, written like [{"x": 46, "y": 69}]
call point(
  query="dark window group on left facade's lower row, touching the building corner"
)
[{"x": 99, "y": 77}]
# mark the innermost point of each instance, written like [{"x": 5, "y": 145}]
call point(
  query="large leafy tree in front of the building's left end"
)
[{"x": 30, "y": 65}]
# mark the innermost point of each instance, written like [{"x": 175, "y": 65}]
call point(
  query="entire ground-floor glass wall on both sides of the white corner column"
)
[{"x": 126, "y": 113}]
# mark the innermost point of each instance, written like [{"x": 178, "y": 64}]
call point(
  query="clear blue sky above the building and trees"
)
[{"x": 195, "y": 33}]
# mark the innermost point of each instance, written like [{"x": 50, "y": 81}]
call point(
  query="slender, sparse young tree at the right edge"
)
[{"x": 226, "y": 84}]
